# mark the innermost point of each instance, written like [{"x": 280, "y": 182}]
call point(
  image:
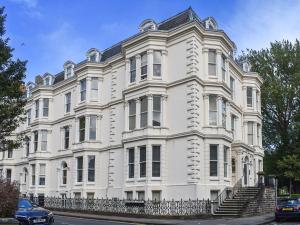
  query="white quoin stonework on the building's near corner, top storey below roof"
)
[{"x": 192, "y": 58}]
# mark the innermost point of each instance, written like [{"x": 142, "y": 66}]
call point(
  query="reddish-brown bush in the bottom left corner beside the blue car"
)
[{"x": 9, "y": 193}]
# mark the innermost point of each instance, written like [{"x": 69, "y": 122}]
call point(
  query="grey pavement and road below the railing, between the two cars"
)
[{"x": 69, "y": 218}]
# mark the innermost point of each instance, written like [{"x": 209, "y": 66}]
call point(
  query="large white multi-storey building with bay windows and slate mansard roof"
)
[{"x": 166, "y": 113}]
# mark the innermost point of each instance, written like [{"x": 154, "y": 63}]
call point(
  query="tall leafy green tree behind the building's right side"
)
[{"x": 279, "y": 67}]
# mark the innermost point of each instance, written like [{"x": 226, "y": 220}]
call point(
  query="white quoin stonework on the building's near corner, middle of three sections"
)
[{"x": 193, "y": 106}]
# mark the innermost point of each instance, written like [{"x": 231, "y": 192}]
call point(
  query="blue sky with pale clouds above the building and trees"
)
[{"x": 47, "y": 33}]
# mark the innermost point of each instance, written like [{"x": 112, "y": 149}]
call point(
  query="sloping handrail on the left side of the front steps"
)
[{"x": 227, "y": 193}]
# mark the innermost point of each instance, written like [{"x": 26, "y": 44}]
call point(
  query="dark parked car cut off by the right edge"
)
[{"x": 287, "y": 208}]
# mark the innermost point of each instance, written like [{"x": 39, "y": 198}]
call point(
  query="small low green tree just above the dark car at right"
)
[{"x": 290, "y": 165}]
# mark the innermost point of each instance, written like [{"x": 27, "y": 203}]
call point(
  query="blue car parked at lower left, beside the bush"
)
[{"x": 29, "y": 213}]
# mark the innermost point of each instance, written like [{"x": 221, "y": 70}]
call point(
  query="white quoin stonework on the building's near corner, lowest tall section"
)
[{"x": 193, "y": 156}]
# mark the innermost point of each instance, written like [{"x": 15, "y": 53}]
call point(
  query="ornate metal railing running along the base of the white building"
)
[{"x": 118, "y": 206}]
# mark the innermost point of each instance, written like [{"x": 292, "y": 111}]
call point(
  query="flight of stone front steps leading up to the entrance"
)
[{"x": 234, "y": 207}]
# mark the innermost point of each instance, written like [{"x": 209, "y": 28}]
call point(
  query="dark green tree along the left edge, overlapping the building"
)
[{"x": 12, "y": 101}]
